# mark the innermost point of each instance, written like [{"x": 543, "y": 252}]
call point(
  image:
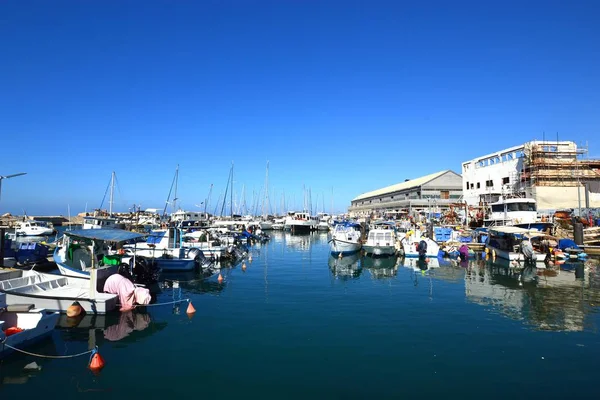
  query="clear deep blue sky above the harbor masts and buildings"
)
[{"x": 339, "y": 96}]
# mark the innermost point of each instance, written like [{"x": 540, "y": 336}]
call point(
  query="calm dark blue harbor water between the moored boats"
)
[{"x": 299, "y": 323}]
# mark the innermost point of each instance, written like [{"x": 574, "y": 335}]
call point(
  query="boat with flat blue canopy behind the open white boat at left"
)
[{"x": 80, "y": 250}]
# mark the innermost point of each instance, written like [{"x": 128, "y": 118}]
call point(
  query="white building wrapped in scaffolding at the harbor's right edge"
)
[{"x": 550, "y": 172}]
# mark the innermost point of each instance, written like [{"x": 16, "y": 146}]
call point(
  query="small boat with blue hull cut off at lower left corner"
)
[{"x": 23, "y": 325}]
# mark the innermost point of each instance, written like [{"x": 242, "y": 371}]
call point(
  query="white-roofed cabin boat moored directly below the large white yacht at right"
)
[{"x": 512, "y": 243}]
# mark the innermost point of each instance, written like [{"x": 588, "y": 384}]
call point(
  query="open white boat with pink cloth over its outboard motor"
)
[{"x": 55, "y": 292}]
